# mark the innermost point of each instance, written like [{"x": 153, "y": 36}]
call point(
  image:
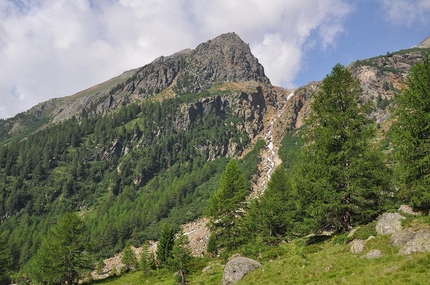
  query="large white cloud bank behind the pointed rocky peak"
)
[{"x": 54, "y": 48}]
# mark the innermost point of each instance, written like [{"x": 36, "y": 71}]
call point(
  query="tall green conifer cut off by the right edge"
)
[{"x": 411, "y": 137}]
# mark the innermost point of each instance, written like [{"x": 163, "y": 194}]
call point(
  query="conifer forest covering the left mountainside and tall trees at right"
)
[{"x": 131, "y": 171}]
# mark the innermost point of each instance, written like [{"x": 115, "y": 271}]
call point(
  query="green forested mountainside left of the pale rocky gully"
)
[{"x": 126, "y": 172}]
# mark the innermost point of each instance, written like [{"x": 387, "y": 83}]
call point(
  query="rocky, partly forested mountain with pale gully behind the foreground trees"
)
[{"x": 149, "y": 146}]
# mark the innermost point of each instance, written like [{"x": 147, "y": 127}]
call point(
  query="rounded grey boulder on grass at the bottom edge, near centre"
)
[{"x": 237, "y": 268}]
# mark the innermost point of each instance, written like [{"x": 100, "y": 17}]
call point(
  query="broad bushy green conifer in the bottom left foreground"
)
[{"x": 61, "y": 258}]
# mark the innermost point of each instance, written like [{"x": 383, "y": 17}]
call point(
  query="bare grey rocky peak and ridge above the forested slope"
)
[{"x": 222, "y": 60}]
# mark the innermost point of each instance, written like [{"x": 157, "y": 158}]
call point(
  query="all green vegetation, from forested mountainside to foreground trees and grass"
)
[{"x": 82, "y": 190}]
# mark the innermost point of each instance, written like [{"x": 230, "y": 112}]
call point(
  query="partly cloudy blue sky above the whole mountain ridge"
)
[{"x": 56, "y": 48}]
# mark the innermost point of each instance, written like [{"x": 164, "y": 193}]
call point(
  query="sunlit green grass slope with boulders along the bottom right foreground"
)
[{"x": 304, "y": 261}]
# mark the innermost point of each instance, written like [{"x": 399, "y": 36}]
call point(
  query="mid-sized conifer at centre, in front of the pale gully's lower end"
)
[{"x": 225, "y": 205}]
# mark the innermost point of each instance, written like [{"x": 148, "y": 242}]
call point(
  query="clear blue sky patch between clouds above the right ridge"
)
[{"x": 368, "y": 32}]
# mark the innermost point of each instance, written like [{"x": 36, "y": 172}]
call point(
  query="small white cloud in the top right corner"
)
[{"x": 406, "y": 12}]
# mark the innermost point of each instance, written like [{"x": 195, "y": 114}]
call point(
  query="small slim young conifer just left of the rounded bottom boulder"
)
[{"x": 181, "y": 257}]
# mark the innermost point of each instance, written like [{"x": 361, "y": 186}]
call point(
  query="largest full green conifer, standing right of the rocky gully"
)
[{"x": 342, "y": 175}]
